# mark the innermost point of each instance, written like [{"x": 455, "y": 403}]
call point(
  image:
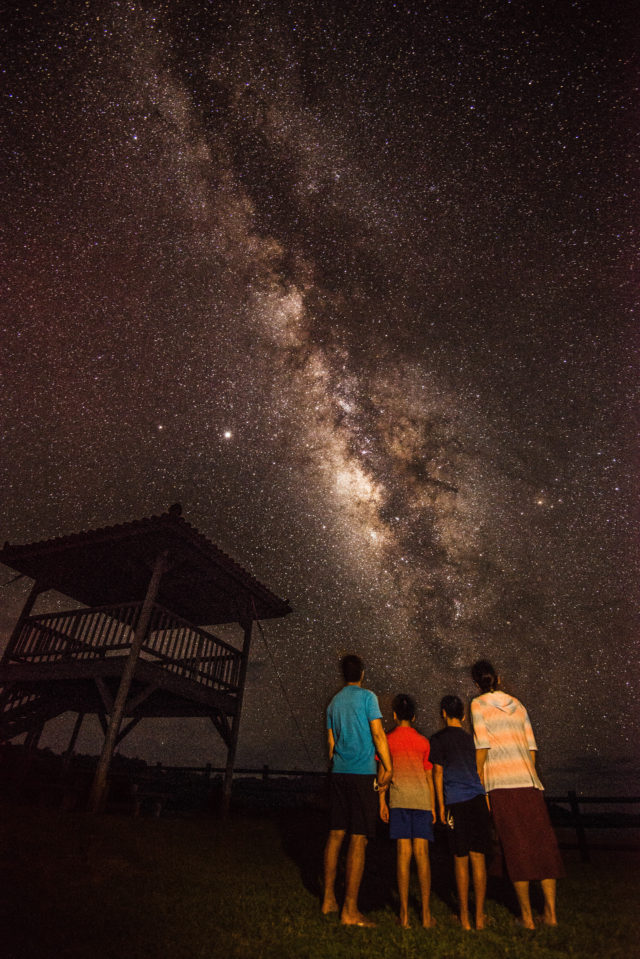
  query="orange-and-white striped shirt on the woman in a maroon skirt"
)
[{"x": 501, "y": 725}]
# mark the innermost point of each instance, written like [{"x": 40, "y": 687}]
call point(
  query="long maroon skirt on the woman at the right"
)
[{"x": 529, "y": 844}]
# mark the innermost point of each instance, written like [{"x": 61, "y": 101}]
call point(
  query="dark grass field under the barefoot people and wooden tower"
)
[{"x": 111, "y": 887}]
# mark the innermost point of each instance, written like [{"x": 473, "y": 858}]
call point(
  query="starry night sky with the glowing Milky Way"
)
[{"x": 354, "y": 284}]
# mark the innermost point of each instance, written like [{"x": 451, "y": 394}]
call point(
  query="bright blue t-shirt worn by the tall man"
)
[{"x": 348, "y": 716}]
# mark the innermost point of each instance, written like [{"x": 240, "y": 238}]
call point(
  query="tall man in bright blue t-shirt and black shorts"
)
[{"x": 355, "y": 734}]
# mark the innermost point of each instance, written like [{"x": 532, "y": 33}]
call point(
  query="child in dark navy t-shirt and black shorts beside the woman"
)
[{"x": 462, "y": 805}]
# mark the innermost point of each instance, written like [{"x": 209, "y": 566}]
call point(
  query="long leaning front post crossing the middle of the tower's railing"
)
[{"x": 98, "y": 789}]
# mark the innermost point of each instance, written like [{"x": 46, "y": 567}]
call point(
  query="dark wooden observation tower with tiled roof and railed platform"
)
[{"x": 137, "y": 648}]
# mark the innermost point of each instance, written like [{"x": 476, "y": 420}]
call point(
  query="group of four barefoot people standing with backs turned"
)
[{"x": 466, "y": 783}]
